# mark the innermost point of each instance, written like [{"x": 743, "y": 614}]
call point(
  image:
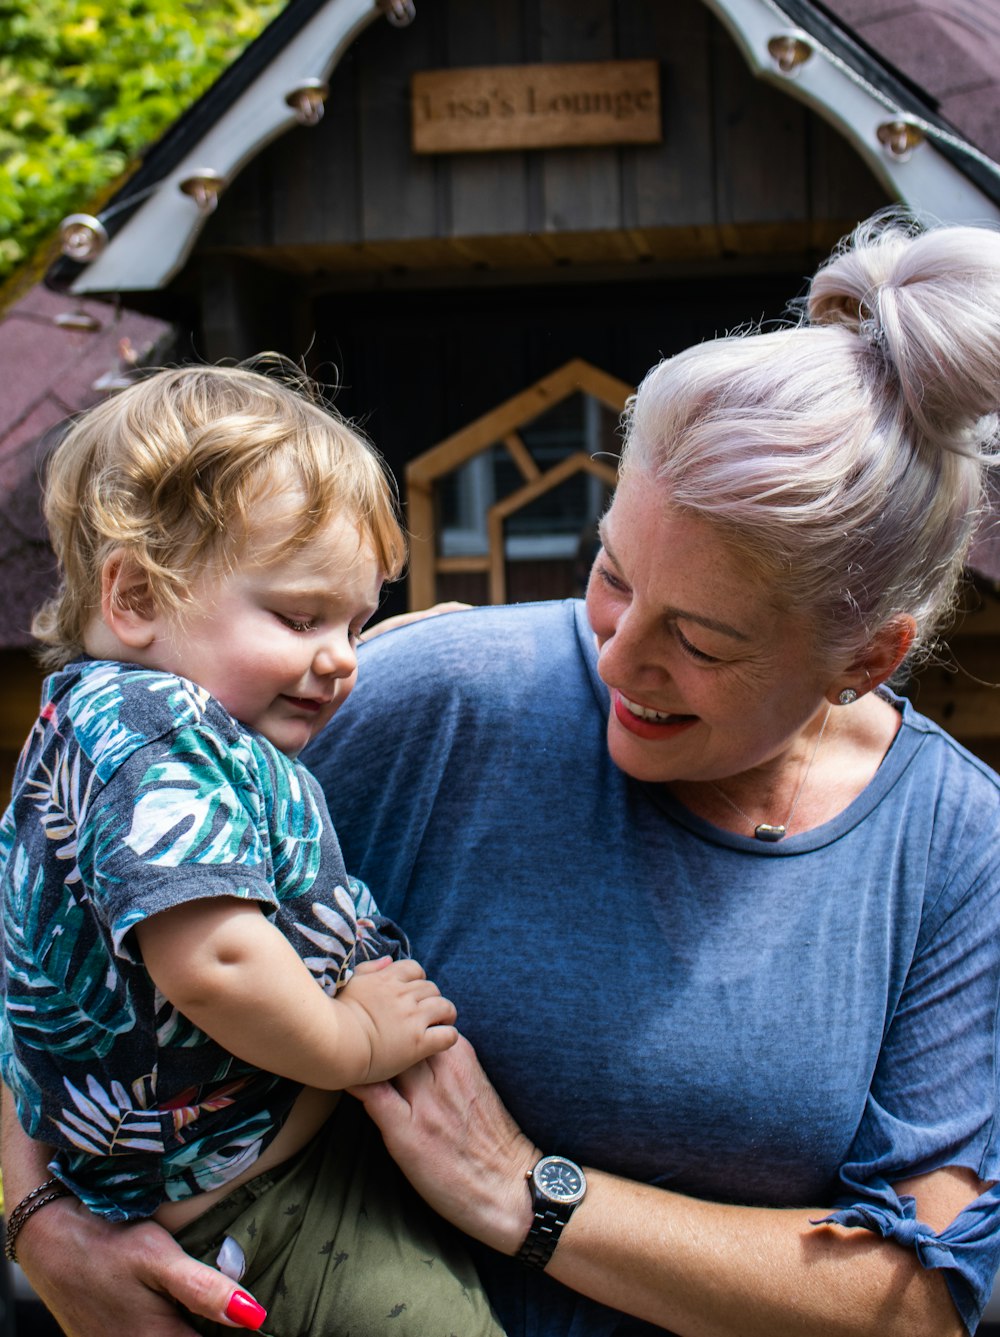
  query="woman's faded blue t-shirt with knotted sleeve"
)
[{"x": 800, "y": 1023}]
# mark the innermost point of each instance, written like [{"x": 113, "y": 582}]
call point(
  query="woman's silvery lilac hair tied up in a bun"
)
[{"x": 846, "y": 458}]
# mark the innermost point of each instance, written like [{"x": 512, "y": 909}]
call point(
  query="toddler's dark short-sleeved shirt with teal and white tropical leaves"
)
[{"x": 138, "y": 792}]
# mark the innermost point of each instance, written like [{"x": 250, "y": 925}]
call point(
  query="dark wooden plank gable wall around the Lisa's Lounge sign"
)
[{"x": 743, "y": 168}]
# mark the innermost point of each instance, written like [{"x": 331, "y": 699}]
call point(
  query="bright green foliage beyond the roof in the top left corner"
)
[{"x": 88, "y": 85}]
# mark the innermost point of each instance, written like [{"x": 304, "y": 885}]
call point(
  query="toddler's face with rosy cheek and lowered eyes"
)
[{"x": 276, "y": 644}]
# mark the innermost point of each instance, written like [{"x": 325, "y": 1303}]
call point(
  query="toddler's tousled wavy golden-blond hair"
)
[{"x": 170, "y": 473}]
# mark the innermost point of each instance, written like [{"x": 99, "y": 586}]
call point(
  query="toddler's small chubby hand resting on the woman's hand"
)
[{"x": 402, "y": 1013}]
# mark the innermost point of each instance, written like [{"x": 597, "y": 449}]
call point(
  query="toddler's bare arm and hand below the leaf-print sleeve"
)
[{"x": 228, "y": 969}]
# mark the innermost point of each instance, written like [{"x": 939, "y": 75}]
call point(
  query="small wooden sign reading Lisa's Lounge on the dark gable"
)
[{"x": 609, "y": 102}]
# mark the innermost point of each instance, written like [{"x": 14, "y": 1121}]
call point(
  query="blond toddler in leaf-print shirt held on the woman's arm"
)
[{"x": 191, "y": 974}]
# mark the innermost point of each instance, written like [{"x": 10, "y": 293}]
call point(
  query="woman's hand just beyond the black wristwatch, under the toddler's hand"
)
[{"x": 447, "y": 1129}]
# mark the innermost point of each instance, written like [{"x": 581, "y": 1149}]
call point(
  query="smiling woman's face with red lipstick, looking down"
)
[{"x": 709, "y": 677}]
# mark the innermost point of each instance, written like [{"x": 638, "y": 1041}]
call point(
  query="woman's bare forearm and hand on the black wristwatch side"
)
[{"x": 700, "y": 1269}]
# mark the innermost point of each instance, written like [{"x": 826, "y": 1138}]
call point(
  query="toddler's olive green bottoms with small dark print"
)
[{"x": 338, "y": 1244}]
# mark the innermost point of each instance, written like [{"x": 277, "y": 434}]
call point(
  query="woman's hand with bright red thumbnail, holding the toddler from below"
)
[{"x": 101, "y": 1279}]
